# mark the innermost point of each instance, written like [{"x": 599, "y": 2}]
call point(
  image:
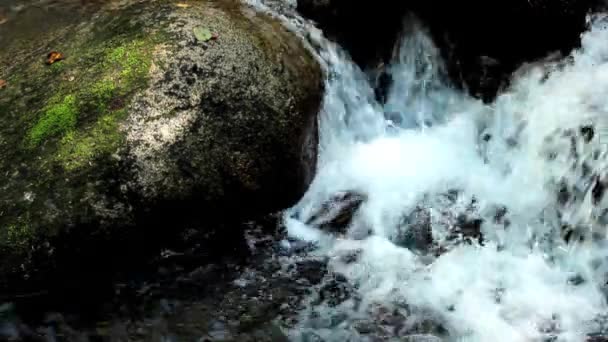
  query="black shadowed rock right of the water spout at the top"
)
[{"x": 513, "y": 32}]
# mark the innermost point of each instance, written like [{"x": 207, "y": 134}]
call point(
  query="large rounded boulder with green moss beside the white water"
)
[{"x": 143, "y": 129}]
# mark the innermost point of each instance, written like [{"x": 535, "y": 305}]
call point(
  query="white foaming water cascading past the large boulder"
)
[{"x": 479, "y": 222}]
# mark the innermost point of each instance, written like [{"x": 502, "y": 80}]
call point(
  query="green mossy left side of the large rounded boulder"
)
[{"x": 61, "y": 128}]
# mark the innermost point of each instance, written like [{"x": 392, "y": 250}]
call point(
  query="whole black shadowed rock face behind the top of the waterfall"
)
[{"x": 482, "y": 42}]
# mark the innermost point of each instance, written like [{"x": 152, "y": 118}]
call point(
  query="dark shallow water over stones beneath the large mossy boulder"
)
[{"x": 254, "y": 300}]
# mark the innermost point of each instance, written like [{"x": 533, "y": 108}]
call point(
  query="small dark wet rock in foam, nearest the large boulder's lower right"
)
[{"x": 336, "y": 214}]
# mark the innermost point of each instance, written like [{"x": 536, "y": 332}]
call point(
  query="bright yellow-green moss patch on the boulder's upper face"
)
[{"x": 84, "y": 121}]
